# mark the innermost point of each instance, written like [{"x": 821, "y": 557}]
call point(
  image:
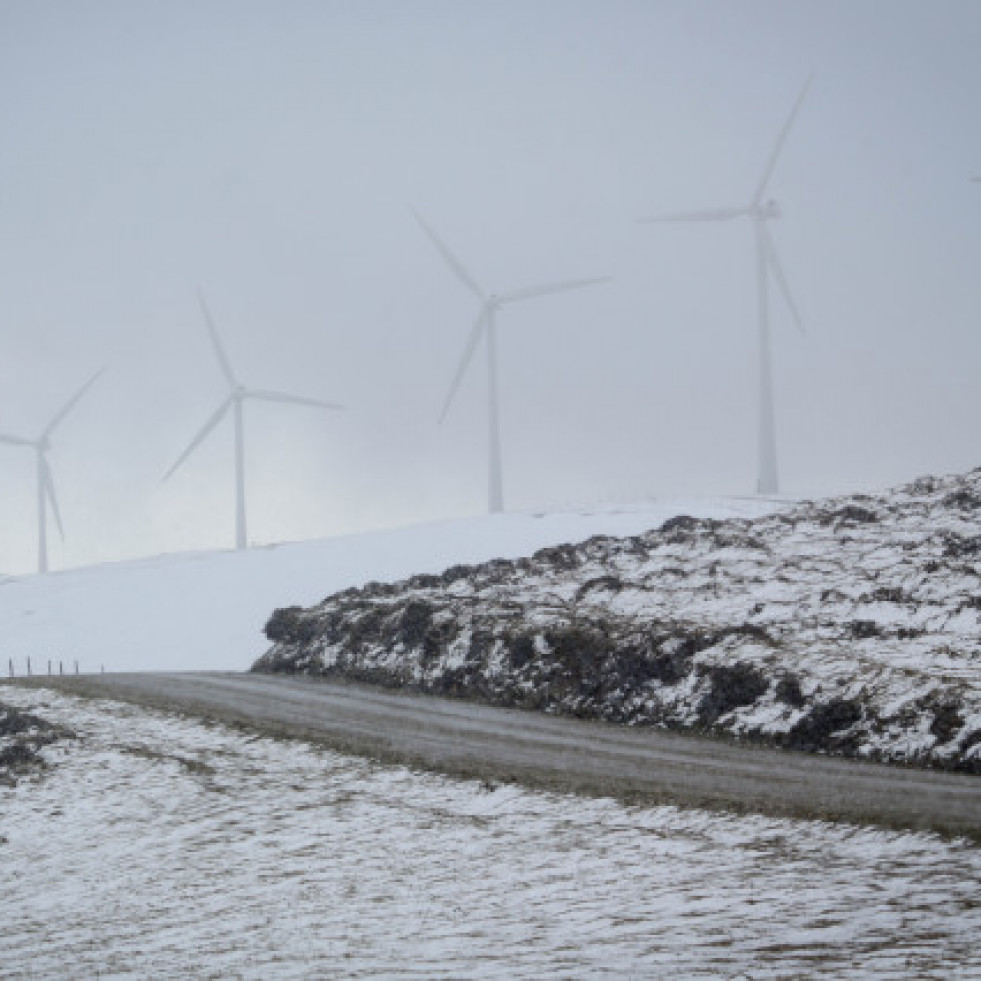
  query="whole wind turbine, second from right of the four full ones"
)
[{"x": 486, "y": 326}]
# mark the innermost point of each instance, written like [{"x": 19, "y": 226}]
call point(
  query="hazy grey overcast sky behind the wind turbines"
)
[{"x": 270, "y": 152}]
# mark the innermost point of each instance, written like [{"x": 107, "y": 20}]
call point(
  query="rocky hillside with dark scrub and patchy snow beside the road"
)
[{"x": 850, "y": 625}]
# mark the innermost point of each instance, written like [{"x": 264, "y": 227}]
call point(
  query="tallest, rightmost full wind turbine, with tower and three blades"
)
[{"x": 759, "y": 212}]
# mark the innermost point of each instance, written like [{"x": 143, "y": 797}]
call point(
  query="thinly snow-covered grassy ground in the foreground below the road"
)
[{"x": 156, "y": 846}]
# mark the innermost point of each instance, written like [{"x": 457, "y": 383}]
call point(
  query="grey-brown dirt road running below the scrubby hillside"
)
[{"x": 495, "y": 744}]
